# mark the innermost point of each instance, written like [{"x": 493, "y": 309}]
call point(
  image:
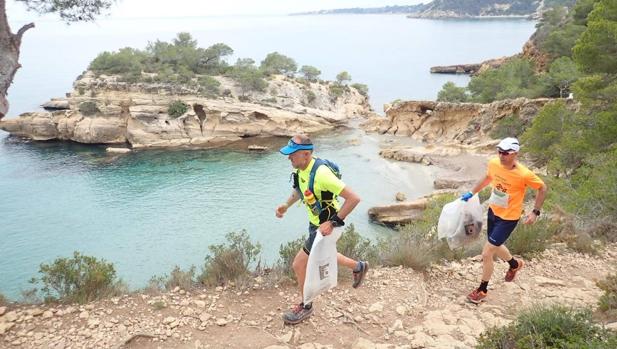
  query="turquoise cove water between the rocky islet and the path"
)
[{"x": 151, "y": 210}]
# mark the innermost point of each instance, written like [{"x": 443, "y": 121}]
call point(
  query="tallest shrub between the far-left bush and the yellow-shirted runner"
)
[{"x": 230, "y": 262}]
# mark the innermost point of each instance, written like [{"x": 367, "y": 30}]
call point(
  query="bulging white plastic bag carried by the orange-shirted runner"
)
[{"x": 460, "y": 222}]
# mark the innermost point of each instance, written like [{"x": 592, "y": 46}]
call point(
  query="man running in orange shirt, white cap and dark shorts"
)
[{"x": 509, "y": 179}]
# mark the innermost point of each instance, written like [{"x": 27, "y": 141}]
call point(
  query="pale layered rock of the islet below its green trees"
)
[{"x": 105, "y": 110}]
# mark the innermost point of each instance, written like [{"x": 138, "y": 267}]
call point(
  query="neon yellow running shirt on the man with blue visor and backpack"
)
[{"x": 325, "y": 180}]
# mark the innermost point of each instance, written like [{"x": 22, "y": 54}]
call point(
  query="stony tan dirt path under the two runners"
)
[{"x": 394, "y": 308}]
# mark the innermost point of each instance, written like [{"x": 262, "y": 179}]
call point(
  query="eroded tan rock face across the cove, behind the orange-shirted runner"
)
[{"x": 451, "y": 123}]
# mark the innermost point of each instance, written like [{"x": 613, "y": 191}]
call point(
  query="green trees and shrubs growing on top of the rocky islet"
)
[{"x": 181, "y": 61}]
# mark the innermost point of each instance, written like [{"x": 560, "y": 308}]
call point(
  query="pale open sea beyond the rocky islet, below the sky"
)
[{"x": 390, "y": 53}]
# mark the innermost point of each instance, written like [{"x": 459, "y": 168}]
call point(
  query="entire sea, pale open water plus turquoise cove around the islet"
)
[{"x": 151, "y": 210}]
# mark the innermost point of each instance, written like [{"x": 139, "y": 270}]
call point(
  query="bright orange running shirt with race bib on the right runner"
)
[{"x": 512, "y": 183}]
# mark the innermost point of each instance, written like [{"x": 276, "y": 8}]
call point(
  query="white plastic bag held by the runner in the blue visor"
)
[{"x": 322, "y": 269}]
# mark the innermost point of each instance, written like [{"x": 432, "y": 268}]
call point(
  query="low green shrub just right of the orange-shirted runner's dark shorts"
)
[{"x": 529, "y": 239}]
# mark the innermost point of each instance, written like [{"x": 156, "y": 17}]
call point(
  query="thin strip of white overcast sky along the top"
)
[{"x": 180, "y": 8}]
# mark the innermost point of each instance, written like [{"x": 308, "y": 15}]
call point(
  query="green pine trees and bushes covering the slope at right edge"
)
[{"x": 577, "y": 146}]
